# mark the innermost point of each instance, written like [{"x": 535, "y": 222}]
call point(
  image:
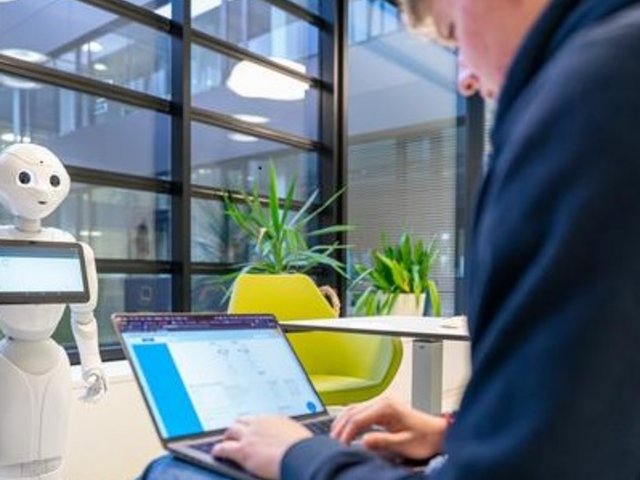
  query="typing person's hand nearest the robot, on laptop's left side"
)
[{"x": 259, "y": 443}]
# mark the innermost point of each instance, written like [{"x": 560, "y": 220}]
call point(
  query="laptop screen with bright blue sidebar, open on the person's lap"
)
[{"x": 200, "y": 372}]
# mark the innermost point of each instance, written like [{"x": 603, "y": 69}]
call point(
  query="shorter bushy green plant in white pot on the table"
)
[{"x": 398, "y": 279}]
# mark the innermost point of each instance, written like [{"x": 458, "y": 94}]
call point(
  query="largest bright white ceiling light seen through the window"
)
[{"x": 251, "y": 80}]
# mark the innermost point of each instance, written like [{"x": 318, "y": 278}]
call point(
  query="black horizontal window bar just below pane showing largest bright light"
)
[{"x": 230, "y": 123}]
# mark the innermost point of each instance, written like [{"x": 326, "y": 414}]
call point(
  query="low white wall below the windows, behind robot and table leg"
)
[{"x": 115, "y": 439}]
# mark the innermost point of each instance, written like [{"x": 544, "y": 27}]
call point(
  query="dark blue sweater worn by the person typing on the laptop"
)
[{"x": 554, "y": 270}]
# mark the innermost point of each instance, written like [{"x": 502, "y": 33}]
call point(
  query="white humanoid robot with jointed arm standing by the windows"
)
[{"x": 35, "y": 381}]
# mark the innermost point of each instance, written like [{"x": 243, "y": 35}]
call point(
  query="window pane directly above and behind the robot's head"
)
[{"x": 84, "y": 130}]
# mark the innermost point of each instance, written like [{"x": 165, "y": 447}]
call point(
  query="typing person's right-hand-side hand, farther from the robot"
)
[{"x": 408, "y": 432}]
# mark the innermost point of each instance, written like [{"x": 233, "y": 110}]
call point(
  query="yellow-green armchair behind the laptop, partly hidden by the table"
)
[{"x": 345, "y": 368}]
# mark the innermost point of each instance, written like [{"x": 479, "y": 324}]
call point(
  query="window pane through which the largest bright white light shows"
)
[{"x": 229, "y": 86}]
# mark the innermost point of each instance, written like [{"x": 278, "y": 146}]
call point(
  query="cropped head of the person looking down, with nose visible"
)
[{"x": 487, "y": 32}]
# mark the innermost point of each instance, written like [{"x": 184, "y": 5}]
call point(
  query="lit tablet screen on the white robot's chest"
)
[{"x": 31, "y": 269}]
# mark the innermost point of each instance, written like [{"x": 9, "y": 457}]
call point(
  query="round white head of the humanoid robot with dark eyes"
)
[{"x": 33, "y": 182}]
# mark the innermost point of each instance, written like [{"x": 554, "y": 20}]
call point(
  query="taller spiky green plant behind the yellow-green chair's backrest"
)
[{"x": 282, "y": 234}]
